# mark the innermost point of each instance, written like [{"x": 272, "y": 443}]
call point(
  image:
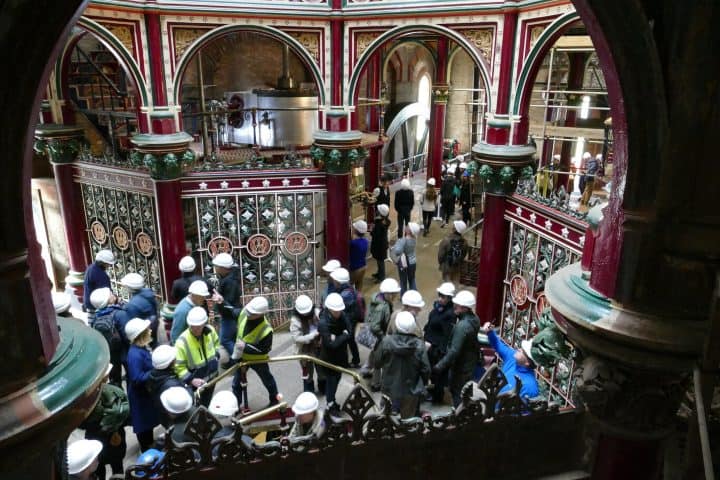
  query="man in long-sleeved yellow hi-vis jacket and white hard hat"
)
[{"x": 198, "y": 353}]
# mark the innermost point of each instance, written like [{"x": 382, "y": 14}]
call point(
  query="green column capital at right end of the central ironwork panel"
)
[{"x": 337, "y": 152}]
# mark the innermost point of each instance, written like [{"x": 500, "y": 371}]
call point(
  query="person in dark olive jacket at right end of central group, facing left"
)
[{"x": 463, "y": 350}]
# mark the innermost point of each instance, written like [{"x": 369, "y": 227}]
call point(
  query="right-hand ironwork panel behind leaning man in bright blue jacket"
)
[{"x": 532, "y": 258}]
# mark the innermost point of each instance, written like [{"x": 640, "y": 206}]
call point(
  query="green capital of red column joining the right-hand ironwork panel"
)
[{"x": 501, "y": 166}]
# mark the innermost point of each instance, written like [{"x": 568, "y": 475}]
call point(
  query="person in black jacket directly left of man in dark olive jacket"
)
[{"x": 437, "y": 335}]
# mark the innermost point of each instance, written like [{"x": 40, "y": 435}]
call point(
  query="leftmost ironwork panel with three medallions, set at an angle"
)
[{"x": 124, "y": 222}]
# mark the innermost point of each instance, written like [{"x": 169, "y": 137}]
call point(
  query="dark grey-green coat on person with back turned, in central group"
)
[{"x": 404, "y": 363}]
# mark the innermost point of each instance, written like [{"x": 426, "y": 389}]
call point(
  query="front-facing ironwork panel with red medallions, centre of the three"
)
[{"x": 272, "y": 237}]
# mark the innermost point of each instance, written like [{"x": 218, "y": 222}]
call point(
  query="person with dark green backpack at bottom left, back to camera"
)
[{"x": 106, "y": 424}]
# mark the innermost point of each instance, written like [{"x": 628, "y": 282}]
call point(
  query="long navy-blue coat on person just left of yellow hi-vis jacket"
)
[{"x": 143, "y": 413}]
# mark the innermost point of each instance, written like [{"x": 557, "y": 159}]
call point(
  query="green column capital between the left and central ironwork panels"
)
[{"x": 163, "y": 155}]
